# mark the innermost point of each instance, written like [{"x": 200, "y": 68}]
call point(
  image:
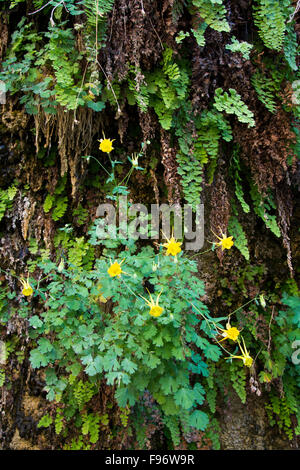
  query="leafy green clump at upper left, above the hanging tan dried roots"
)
[{"x": 31, "y": 54}]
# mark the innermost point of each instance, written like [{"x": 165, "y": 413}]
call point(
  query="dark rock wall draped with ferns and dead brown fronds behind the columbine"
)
[{"x": 41, "y": 161}]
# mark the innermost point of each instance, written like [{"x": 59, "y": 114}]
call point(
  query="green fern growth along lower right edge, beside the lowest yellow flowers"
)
[{"x": 278, "y": 354}]
